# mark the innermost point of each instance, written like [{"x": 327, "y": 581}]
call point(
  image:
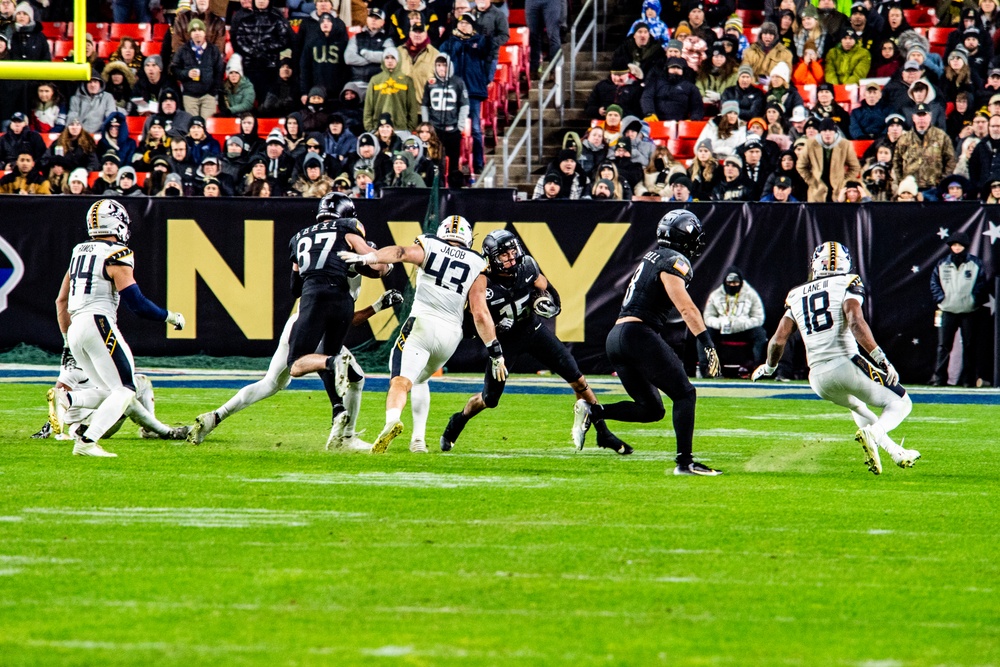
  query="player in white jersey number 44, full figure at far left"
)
[{"x": 100, "y": 274}]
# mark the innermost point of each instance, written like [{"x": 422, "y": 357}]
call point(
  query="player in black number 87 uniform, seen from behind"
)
[{"x": 321, "y": 278}]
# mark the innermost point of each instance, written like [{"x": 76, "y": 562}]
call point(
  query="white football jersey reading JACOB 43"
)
[{"x": 444, "y": 279}]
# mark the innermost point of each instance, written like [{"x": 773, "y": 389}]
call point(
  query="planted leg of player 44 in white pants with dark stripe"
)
[{"x": 110, "y": 359}]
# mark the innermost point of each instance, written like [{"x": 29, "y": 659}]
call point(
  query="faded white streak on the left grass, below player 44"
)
[{"x": 194, "y": 517}]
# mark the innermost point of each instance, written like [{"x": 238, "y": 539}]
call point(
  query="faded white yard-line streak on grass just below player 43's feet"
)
[{"x": 421, "y": 480}]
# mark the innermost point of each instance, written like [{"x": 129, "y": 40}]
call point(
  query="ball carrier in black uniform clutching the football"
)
[{"x": 517, "y": 294}]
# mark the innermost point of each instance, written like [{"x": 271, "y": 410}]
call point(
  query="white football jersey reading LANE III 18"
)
[{"x": 817, "y": 308}]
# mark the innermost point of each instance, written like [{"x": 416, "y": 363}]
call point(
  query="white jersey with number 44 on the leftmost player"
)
[{"x": 90, "y": 288}]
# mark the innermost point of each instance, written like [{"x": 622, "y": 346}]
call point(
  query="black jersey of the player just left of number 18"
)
[{"x": 645, "y": 297}]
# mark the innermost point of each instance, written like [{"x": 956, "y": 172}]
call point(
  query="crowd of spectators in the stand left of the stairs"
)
[{"x": 381, "y": 105}]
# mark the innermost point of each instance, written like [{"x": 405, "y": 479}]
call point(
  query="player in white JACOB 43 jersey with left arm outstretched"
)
[{"x": 450, "y": 274}]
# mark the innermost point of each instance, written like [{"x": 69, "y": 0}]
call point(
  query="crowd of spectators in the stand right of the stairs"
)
[{"x": 911, "y": 124}]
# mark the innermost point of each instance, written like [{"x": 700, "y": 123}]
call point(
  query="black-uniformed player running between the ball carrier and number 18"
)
[{"x": 645, "y": 363}]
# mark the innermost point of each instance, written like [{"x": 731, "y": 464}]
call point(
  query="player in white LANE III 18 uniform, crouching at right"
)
[{"x": 827, "y": 311}]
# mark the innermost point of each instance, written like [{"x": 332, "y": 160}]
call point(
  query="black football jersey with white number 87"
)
[{"x": 315, "y": 250}]
